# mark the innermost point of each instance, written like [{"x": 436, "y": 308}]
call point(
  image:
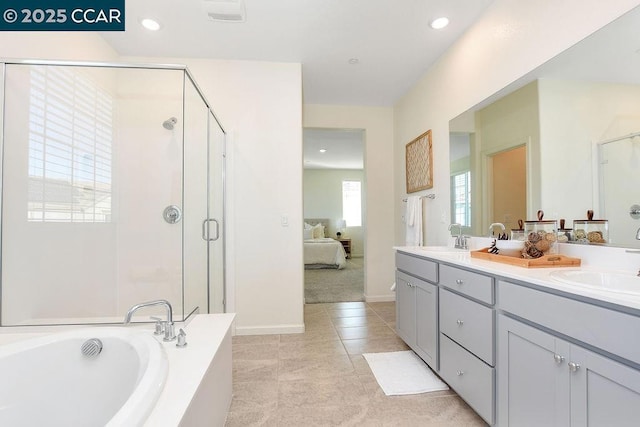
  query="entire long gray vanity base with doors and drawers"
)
[{"x": 520, "y": 353}]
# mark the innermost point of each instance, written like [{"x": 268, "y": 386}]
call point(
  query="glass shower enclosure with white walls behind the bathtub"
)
[{"x": 112, "y": 193}]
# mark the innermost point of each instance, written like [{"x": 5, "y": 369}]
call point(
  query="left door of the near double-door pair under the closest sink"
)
[{"x": 533, "y": 377}]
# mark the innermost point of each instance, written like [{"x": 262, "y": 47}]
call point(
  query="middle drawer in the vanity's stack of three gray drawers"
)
[{"x": 469, "y": 324}]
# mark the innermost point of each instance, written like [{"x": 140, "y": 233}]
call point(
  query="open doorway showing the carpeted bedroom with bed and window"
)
[{"x": 334, "y": 188}]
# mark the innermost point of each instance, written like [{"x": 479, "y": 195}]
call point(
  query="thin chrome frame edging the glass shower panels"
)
[{"x": 124, "y": 65}]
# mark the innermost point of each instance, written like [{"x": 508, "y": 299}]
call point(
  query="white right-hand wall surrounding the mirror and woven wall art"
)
[{"x": 508, "y": 40}]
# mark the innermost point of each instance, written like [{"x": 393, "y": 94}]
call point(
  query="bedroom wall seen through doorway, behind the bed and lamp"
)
[{"x": 323, "y": 199}]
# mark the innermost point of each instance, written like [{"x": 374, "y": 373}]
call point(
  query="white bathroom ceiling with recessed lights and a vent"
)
[{"x": 391, "y": 40}]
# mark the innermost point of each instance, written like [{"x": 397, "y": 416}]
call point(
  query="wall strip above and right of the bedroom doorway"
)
[{"x": 379, "y": 198}]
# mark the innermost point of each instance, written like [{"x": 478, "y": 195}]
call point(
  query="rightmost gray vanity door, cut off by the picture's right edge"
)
[{"x": 603, "y": 392}]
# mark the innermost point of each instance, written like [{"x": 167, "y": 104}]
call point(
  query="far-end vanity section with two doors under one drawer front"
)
[{"x": 417, "y": 306}]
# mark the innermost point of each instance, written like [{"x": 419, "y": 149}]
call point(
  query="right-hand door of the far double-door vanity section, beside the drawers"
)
[{"x": 427, "y": 323}]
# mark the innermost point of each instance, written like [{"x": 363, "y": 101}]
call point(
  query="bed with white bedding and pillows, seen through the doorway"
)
[{"x": 321, "y": 251}]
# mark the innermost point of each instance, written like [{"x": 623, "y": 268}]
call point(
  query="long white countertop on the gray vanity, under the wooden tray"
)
[{"x": 540, "y": 276}]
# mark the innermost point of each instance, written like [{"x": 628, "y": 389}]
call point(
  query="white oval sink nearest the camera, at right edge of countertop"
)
[{"x": 606, "y": 281}]
